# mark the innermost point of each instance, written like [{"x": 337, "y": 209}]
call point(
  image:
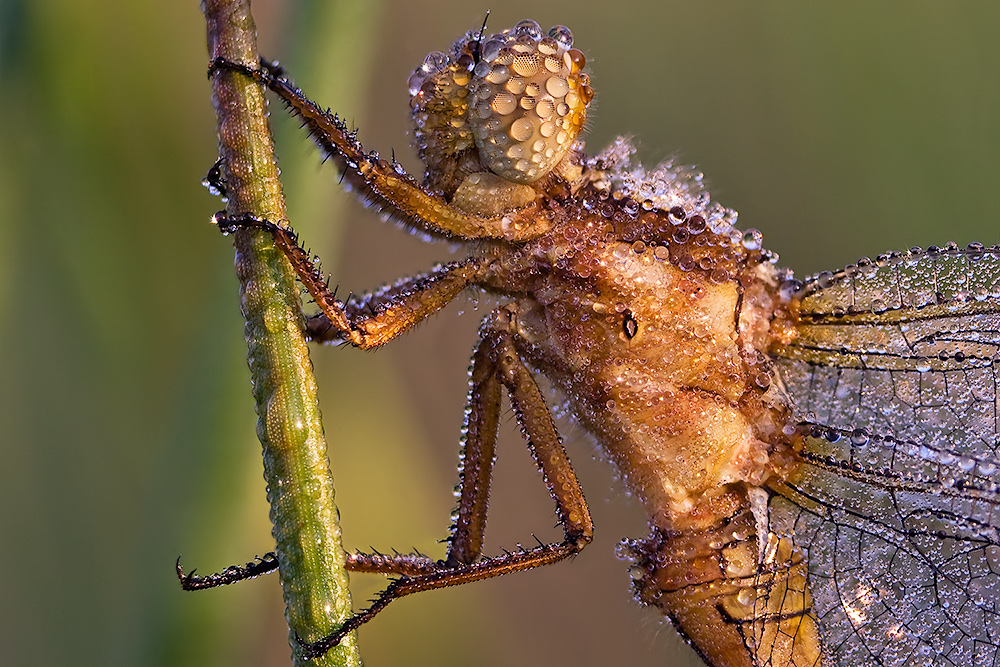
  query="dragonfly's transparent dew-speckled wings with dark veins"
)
[{"x": 892, "y": 368}]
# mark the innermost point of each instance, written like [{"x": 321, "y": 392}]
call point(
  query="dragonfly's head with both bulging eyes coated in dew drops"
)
[{"x": 512, "y": 103}]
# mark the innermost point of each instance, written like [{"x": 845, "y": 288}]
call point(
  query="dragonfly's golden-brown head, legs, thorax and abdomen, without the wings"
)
[{"x": 633, "y": 292}]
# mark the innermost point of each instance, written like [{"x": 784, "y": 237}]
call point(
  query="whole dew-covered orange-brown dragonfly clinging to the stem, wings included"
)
[{"x": 818, "y": 458}]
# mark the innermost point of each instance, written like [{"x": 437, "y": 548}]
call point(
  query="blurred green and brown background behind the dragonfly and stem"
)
[{"x": 838, "y": 129}]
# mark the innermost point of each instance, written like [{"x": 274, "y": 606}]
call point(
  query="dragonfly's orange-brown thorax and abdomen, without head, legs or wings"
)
[{"x": 656, "y": 329}]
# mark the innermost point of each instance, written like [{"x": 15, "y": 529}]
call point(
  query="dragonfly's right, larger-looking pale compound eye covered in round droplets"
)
[{"x": 527, "y": 101}]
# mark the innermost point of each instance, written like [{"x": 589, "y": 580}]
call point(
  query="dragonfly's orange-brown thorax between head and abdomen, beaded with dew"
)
[{"x": 661, "y": 360}]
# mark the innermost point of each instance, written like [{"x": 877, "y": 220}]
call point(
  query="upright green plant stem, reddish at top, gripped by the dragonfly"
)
[{"x": 299, "y": 482}]
